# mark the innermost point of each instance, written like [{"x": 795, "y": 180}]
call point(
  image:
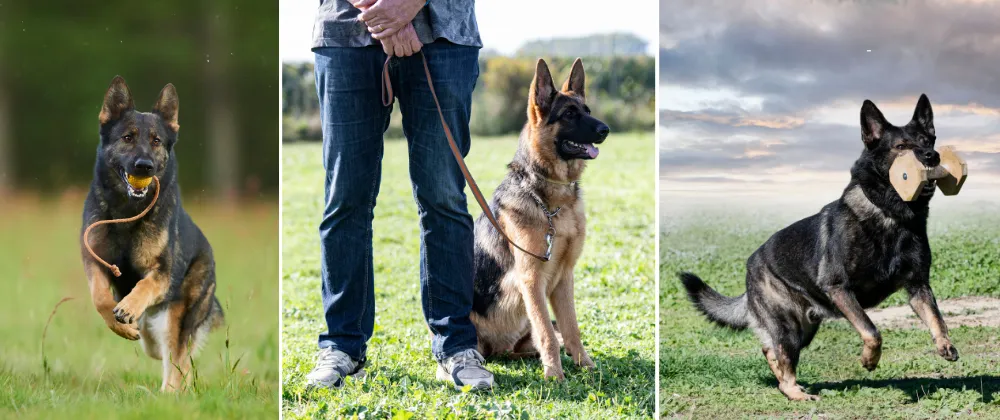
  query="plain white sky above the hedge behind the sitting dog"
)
[{"x": 503, "y": 24}]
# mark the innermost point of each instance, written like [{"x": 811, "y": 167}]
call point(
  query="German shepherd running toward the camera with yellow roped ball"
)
[{"x": 165, "y": 296}]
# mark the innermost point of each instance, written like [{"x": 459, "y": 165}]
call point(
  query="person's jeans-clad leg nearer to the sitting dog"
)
[{"x": 446, "y": 247}]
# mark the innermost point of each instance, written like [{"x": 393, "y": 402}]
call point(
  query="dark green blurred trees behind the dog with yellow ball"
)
[{"x": 57, "y": 59}]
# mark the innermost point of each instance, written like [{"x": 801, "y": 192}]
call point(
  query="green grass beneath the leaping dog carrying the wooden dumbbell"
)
[{"x": 713, "y": 372}]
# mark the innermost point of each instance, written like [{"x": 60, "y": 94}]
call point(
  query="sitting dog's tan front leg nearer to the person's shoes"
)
[{"x": 542, "y": 332}]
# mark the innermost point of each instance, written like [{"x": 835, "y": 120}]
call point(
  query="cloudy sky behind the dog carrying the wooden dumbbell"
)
[{"x": 763, "y": 97}]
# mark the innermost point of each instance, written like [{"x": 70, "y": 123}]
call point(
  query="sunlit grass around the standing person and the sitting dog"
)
[{"x": 615, "y": 281}]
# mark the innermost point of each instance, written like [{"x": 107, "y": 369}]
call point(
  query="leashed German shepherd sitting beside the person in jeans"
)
[{"x": 511, "y": 287}]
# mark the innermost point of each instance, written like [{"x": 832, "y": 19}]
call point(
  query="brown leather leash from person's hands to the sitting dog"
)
[{"x": 387, "y": 100}]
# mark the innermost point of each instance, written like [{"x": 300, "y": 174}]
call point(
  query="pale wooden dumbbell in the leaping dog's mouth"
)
[{"x": 909, "y": 176}]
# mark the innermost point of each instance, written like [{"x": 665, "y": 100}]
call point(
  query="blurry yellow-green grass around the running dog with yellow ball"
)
[{"x": 88, "y": 371}]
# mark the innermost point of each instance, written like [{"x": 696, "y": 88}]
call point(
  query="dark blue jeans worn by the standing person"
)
[{"x": 354, "y": 120}]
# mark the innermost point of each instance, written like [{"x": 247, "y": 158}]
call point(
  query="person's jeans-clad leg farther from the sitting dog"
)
[{"x": 348, "y": 84}]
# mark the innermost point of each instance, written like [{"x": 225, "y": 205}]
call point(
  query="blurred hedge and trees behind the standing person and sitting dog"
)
[{"x": 621, "y": 81}]
